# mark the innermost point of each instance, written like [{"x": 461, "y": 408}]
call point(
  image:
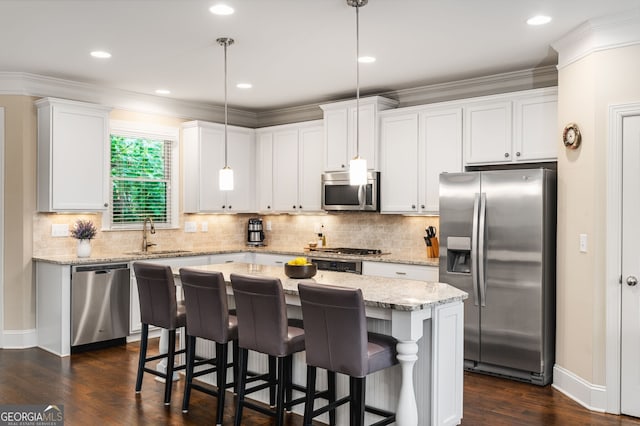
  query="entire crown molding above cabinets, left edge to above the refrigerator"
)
[{"x": 17, "y": 83}]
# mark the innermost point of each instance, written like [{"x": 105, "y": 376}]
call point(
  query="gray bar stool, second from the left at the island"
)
[{"x": 205, "y": 295}]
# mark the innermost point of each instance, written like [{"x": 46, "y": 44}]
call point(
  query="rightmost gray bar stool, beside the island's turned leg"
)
[{"x": 337, "y": 340}]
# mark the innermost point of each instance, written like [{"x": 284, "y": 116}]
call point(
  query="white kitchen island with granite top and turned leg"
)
[{"x": 425, "y": 317}]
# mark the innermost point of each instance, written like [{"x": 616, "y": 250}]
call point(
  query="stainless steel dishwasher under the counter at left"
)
[{"x": 100, "y": 301}]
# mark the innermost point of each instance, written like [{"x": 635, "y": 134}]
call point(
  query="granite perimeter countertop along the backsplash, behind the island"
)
[{"x": 72, "y": 259}]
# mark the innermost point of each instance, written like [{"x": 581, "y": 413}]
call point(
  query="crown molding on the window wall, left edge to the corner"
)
[{"x": 18, "y": 83}]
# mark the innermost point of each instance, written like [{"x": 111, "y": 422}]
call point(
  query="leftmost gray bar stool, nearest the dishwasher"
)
[{"x": 158, "y": 307}]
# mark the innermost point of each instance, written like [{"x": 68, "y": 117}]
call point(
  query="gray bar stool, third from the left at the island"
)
[{"x": 263, "y": 327}]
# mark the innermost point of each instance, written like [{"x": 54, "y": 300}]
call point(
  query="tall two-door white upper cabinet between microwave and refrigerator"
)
[{"x": 417, "y": 145}]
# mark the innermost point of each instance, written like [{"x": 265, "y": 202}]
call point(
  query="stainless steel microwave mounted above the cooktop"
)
[{"x": 339, "y": 195}]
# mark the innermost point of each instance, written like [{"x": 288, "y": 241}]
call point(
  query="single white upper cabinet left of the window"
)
[{"x": 73, "y": 153}]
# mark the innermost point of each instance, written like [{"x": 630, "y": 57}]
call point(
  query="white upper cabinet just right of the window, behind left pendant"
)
[{"x": 203, "y": 157}]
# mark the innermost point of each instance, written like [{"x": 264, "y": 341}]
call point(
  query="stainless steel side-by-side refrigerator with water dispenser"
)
[{"x": 498, "y": 243}]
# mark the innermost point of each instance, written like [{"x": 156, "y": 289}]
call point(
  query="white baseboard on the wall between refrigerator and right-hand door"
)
[{"x": 592, "y": 397}]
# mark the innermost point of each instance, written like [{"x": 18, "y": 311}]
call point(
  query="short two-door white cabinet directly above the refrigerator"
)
[{"x": 515, "y": 127}]
